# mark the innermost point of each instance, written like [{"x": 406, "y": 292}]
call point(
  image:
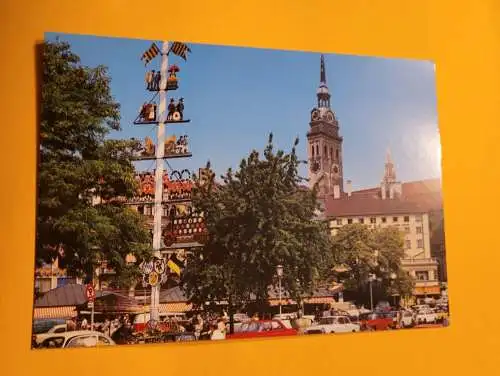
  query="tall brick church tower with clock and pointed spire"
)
[{"x": 325, "y": 143}]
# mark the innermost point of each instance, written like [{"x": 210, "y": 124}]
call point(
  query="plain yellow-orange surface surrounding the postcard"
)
[{"x": 462, "y": 37}]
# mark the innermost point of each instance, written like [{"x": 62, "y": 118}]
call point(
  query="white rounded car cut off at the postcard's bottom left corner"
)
[{"x": 76, "y": 338}]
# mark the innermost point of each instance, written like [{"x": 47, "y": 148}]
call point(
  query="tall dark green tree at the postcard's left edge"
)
[{"x": 77, "y": 164}]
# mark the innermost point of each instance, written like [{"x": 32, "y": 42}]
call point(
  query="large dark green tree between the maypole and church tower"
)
[{"x": 258, "y": 218}]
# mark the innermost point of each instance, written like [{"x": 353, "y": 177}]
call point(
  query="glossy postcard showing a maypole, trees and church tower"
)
[{"x": 191, "y": 192}]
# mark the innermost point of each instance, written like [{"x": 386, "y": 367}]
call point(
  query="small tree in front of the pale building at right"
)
[{"x": 359, "y": 252}]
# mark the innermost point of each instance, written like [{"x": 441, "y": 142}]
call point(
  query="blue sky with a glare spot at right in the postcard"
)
[{"x": 236, "y": 96}]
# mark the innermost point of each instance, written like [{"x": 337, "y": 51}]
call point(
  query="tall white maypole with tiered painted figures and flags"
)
[{"x": 151, "y": 194}]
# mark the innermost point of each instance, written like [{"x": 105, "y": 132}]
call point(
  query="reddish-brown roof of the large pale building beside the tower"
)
[{"x": 419, "y": 196}]
